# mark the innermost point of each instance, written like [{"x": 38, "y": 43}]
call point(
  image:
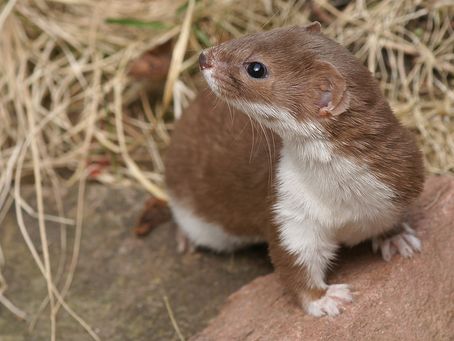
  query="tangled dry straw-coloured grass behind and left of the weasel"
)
[{"x": 70, "y": 113}]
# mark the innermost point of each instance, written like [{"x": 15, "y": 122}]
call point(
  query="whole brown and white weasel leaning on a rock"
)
[{"x": 294, "y": 145}]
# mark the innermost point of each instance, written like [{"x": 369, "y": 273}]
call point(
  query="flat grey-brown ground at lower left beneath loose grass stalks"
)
[{"x": 121, "y": 281}]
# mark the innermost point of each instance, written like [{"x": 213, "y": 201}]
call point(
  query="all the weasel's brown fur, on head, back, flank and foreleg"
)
[{"x": 223, "y": 166}]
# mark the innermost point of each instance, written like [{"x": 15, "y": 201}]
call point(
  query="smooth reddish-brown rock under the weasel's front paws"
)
[{"x": 405, "y": 299}]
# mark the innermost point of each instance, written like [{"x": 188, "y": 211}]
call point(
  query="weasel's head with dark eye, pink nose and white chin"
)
[{"x": 281, "y": 78}]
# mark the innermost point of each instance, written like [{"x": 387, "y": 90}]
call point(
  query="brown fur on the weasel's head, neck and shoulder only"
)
[{"x": 367, "y": 130}]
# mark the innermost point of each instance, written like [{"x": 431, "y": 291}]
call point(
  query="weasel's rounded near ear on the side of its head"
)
[{"x": 334, "y": 98}]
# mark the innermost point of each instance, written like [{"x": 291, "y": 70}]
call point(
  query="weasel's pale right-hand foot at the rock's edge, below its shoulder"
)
[{"x": 405, "y": 242}]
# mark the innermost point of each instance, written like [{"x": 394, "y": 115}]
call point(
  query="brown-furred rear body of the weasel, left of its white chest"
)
[{"x": 221, "y": 165}]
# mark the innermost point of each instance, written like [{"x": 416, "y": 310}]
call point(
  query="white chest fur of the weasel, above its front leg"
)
[{"x": 331, "y": 192}]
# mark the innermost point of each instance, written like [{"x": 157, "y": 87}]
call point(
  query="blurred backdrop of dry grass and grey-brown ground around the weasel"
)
[{"x": 89, "y": 91}]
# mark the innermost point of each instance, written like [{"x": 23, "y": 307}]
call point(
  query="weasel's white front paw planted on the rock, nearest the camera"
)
[{"x": 332, "y": 302}]
